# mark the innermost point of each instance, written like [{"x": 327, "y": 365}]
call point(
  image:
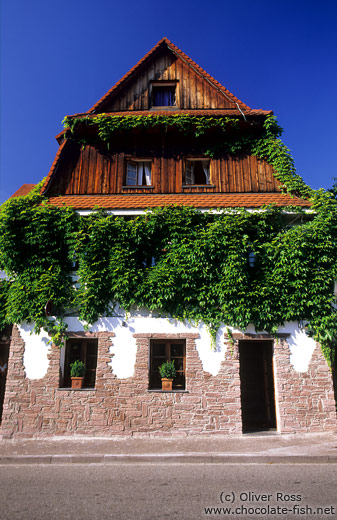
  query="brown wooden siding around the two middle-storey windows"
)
[{"x": 93, "y": 171}]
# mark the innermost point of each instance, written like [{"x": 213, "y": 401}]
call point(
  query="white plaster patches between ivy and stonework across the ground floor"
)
[{"x": 141, "y": 321}]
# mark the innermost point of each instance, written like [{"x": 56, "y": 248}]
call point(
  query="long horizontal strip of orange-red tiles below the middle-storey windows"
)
[{"x": 198, "y": 200}]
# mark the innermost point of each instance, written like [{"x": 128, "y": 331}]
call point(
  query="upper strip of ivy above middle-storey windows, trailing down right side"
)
[{"x": 262, "y": 141}]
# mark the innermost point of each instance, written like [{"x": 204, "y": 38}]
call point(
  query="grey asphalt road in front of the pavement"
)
[{"x": 175, "y": 491}]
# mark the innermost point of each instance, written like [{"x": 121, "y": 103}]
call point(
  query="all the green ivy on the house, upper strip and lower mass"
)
[{"x": 176, "y": 260}]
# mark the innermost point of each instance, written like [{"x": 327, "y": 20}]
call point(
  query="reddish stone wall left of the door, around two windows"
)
[{"x": 121, "y": 406}]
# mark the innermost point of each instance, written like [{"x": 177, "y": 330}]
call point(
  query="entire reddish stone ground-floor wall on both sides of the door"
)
[{"x": 209, "y": 404}]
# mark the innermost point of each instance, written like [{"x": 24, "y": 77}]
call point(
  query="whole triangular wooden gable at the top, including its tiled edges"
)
[{"x": 164, "y": 65}]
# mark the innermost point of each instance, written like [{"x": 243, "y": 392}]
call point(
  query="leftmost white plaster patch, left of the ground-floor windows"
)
[{"x": 35, "y": 358}]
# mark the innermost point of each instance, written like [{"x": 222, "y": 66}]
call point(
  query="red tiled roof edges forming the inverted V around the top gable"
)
[{"x": 182, "y": 56}]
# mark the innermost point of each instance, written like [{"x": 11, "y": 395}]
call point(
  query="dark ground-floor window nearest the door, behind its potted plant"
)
[{"x": 167, "y": 350}]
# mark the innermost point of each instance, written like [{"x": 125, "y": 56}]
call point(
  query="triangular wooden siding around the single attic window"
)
[{"x": 193, "y": 91}]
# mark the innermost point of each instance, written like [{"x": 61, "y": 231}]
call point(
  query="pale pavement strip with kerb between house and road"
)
[{"x": 271, "y": 448}]
